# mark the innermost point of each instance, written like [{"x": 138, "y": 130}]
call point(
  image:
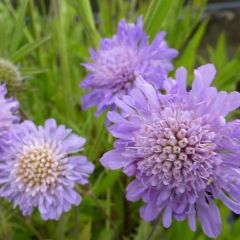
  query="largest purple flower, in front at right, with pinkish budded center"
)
[{"x": 180, "y": 149}]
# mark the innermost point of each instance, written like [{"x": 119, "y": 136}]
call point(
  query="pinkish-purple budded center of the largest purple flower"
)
[{"x": 176, "y": 149}]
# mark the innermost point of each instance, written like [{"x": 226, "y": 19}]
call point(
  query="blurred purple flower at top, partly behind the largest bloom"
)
[{"x": 120, "y": 60}]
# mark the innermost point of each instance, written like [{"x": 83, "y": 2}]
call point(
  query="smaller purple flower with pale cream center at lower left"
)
[{"x": 41, "y": 168}]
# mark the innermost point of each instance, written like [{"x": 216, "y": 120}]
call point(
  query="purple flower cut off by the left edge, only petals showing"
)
[{"x": 8, "y": 109}]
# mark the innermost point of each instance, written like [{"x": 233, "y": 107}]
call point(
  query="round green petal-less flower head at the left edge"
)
[{"x": 10, "y": 74}]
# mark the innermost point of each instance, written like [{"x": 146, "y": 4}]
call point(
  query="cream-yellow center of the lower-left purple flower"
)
[{"x": 38, "y": 169}]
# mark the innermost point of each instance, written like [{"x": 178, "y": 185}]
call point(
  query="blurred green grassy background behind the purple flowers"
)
[{"x": 48, "y": 40}]
